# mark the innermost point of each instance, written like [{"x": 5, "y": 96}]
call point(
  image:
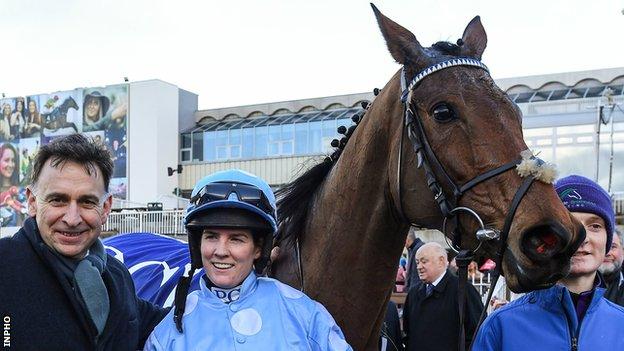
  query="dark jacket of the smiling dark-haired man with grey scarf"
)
[{"x": 44, "y": 311}]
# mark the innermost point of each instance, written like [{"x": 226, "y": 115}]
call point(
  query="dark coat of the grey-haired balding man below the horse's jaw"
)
[{"x": 432, "y": 322}]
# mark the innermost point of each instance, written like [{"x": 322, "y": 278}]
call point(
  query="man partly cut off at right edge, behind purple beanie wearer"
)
[{"x": 611, "y": 269}]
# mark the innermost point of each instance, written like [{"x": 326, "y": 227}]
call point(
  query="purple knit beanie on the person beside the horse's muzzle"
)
[{"x": 580, "y": 194}]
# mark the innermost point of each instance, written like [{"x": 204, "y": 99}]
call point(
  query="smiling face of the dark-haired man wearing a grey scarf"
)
[{"x": 70, "y": 207}]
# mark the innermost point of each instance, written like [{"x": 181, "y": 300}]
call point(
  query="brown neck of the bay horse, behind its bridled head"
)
[{"x": 353, "y": 236}]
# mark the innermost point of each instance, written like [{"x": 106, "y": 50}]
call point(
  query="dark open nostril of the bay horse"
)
[{"x": 542, "y": 242}]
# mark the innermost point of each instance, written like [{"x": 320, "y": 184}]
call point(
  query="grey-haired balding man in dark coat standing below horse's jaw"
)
[{"x": 431, "y": 313}]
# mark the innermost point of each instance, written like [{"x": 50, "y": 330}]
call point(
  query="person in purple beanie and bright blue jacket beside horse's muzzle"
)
[{"x": 572, "y": 315}]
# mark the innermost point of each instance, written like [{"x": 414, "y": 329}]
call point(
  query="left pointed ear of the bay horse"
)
[{"x": 402, "y": 44}]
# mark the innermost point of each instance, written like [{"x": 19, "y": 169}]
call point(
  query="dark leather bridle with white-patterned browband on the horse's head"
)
[{"x": 449, "y": 205}]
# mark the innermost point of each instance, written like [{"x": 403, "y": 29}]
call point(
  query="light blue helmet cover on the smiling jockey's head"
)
[{"x": 234, "y": 176}]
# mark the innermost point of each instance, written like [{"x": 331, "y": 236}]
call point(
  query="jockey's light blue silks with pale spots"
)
[{"x": 268, "y": 315}]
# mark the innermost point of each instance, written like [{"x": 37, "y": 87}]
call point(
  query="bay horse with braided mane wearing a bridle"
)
[{"x": 343, "y": 223}]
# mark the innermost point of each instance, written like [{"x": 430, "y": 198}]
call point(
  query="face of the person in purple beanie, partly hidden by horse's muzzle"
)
[{"x": 591, "y": 253}]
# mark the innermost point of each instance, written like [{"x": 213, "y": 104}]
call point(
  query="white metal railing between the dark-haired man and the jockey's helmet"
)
[{"x": 161, "y": 222}]
